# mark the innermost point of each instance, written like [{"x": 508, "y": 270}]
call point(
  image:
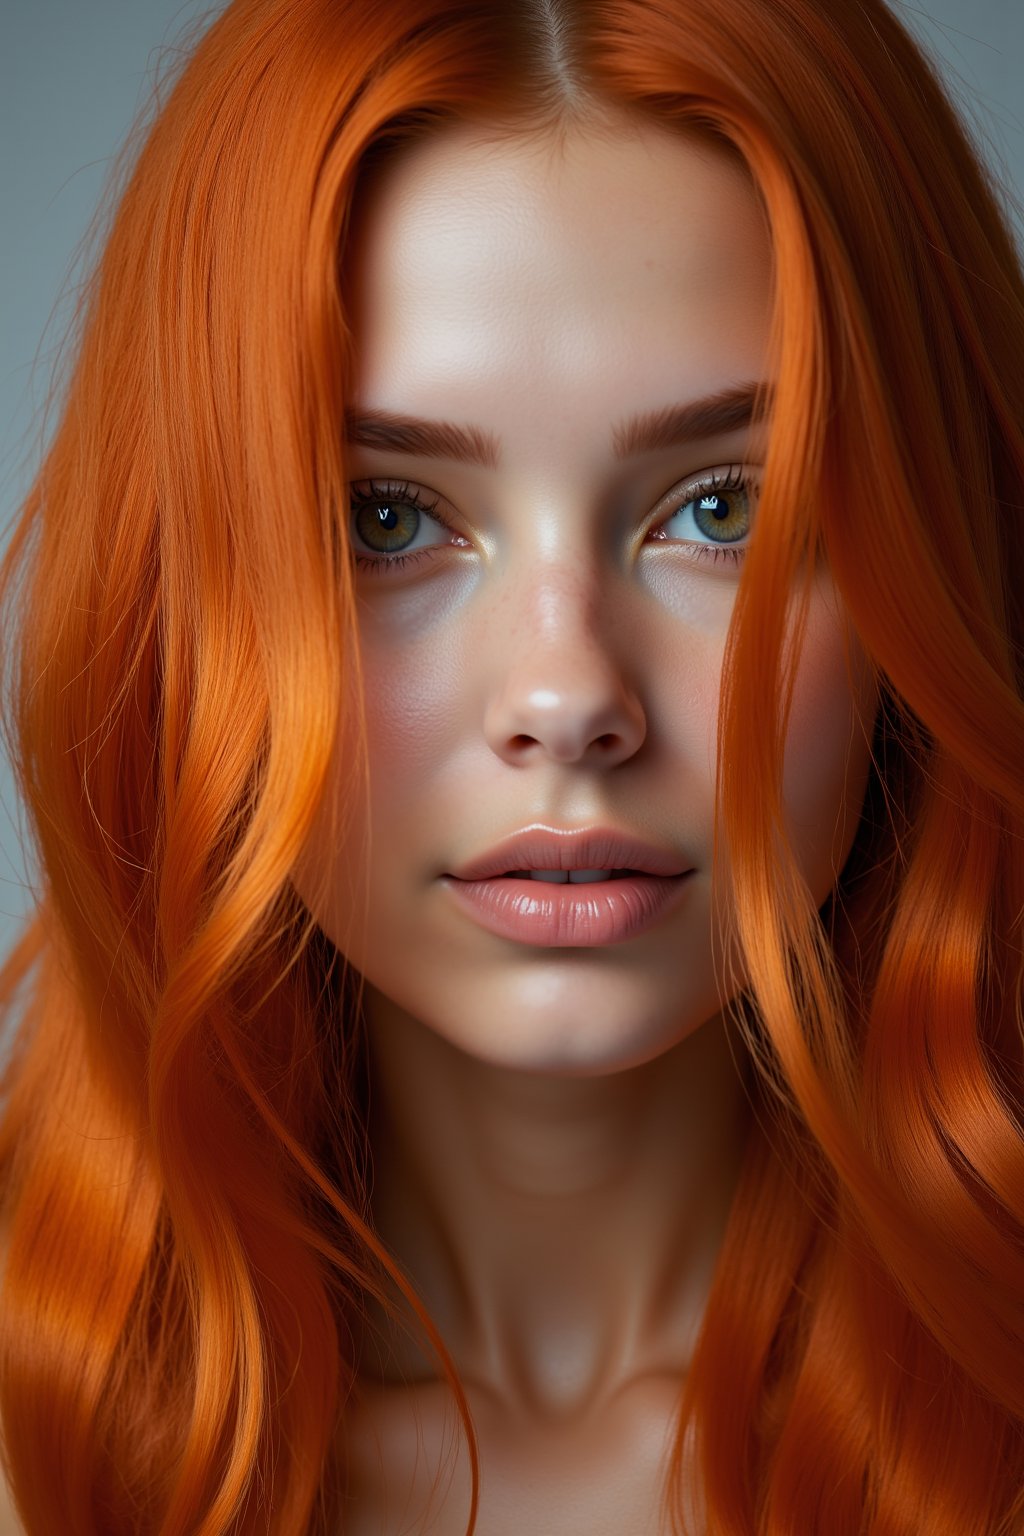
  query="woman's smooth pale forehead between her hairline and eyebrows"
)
[{"x": 503, "y": 274}]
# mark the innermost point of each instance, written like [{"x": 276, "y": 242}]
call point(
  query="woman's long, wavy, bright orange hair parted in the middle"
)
[{"x": 182, "y": 1144}]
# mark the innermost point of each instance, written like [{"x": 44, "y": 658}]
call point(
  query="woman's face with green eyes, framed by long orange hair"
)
[{"x": 552, "y": 658}]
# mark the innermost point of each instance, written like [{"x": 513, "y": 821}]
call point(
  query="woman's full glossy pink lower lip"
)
[{"x": 561, "y": 916}]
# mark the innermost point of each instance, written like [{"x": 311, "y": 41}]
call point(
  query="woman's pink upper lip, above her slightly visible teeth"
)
[{"x": 564, "y": 849}]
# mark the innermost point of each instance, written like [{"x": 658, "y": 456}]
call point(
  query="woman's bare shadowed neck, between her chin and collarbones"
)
[{"x": 561, "y": 1231}]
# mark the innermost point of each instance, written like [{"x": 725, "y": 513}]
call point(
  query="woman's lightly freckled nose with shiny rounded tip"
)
[{"x": 561, "y": 690}]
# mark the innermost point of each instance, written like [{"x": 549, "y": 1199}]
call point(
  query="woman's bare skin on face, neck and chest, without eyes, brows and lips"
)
[{"x": 557, "y": 1133}]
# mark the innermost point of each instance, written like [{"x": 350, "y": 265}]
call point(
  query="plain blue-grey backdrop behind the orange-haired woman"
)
[{"x": 73, "y": 79}]
